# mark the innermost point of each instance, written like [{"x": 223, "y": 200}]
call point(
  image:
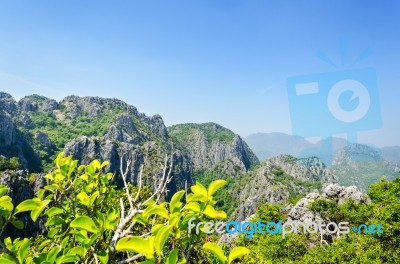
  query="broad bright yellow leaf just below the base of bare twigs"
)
[{"x": 137, "y": 244}]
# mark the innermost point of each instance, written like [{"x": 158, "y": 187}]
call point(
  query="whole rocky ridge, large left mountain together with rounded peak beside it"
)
[{"x": 36, "y": 128}]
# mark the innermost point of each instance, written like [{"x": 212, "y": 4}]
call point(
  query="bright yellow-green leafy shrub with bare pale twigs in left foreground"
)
[{"x": 88, "y": 220}]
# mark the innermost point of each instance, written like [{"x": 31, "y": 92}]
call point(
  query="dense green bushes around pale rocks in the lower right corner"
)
[{"x": 354, "y": 247}]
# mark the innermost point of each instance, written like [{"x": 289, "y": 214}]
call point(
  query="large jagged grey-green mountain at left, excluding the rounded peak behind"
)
[{"x": 87, "y": 127}]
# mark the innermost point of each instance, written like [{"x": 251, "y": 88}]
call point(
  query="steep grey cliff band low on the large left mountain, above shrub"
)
[{"x": 86, "y": 149}]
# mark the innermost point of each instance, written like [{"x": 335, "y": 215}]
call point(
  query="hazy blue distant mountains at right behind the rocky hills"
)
[{"x": 351, "y": 163}]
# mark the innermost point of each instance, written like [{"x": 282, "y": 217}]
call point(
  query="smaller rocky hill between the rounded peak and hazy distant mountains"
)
[{"x": 282, "y": 179}]
